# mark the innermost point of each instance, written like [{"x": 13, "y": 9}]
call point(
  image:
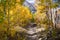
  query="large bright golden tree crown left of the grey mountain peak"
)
[{"x": 20, "y": 15}]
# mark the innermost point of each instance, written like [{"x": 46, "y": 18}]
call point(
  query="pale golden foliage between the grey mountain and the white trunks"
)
[{"x": 40, "y": 17}]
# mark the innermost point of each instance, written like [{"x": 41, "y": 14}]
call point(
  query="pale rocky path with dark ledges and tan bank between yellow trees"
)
[{"x": 33, "y": 32}]
